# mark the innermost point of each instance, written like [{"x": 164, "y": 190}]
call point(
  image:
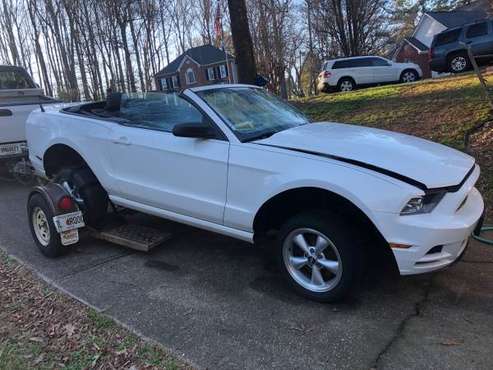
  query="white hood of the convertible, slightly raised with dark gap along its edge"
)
[{"x": 430, "y": 164}]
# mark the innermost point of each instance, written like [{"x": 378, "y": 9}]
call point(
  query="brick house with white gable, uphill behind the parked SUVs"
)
[{"x": 415, "y": 48}]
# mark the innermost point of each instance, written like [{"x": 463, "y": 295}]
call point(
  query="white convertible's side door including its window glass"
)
[{"x": 153, "y": 167}]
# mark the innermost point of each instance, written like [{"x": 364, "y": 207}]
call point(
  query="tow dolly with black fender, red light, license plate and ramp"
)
[{"x": 55, "y": 219}]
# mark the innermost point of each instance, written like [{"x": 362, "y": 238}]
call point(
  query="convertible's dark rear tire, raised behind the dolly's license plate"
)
[{"x": 86, "y": 187}]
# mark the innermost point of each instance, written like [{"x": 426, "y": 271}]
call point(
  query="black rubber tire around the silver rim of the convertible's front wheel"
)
[{"x": 349, "y": 251}]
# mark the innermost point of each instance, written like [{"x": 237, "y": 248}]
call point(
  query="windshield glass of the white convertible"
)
[{"x": 252, "y": 113}]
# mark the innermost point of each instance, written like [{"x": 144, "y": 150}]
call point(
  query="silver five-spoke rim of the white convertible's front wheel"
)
[{"x": 312, "y": 260}]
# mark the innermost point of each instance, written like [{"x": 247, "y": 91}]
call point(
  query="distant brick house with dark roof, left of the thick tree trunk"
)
[{"x": 202, "y": 65}]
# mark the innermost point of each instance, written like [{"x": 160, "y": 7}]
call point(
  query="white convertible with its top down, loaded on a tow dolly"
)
[{"x": 234, "y": 160}]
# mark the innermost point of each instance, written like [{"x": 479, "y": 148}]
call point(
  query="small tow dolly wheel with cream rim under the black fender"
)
[{"x": 50, "y": 246}]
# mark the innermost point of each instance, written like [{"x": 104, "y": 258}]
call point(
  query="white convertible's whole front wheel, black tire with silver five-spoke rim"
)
[{"x": 319, "y": 256}]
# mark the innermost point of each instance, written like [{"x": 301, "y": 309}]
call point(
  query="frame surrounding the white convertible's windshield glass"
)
[{"x": 244, "y": 138}]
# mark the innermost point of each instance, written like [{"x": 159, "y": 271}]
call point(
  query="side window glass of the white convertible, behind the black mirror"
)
[{"x": 157, "y": 111}]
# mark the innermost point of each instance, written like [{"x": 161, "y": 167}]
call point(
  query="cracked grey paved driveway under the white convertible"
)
[{"x": 222, "y": 304}]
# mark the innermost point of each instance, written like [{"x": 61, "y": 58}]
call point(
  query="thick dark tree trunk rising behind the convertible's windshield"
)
[{"x": 242, "y": 42}]
